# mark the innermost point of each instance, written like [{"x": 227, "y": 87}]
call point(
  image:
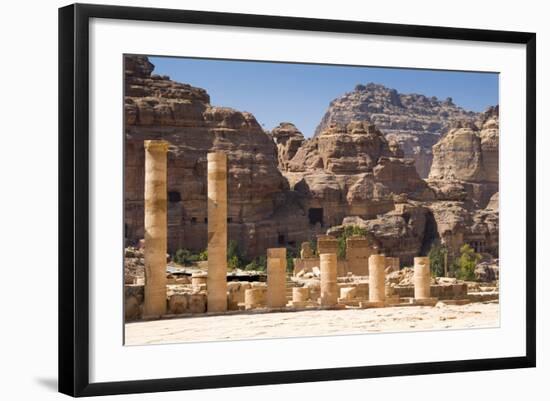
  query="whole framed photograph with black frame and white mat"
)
[{"x": 251, "y": 199}]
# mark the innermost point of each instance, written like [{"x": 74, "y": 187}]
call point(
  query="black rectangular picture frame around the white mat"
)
[{"x": 74, "y": 198}]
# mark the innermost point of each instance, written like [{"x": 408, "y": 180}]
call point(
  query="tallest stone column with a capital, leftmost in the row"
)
[{"x": 154, "y": 302}]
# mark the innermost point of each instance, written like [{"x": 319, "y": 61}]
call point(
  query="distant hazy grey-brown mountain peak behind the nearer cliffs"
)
[{"x": 414, "y": 121}]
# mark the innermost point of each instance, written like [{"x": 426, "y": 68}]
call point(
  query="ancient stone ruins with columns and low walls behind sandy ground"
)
[{"x": 361, "y": 280}]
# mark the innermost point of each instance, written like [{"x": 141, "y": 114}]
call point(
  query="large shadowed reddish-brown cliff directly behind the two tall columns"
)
[{"x": 158, "y": 108}]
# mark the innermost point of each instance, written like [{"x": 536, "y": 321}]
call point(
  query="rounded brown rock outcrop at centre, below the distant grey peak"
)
[{"x": 352, "y": 170}]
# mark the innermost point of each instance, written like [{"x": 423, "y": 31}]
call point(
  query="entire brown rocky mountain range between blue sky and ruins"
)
[{"x": 284, "y": 189}]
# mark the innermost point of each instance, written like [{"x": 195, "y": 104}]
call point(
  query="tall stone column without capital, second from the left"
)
[{"x": 216, "y": 283}]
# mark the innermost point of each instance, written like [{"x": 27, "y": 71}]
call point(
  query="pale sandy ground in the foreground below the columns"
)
[{"x": 312, "y": 323}]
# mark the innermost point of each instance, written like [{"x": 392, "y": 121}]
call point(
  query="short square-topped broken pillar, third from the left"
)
[{"x": 276, "y": 277}]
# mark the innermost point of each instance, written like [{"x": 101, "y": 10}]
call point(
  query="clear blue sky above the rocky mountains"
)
[{"x": 301, "y": 93}]
